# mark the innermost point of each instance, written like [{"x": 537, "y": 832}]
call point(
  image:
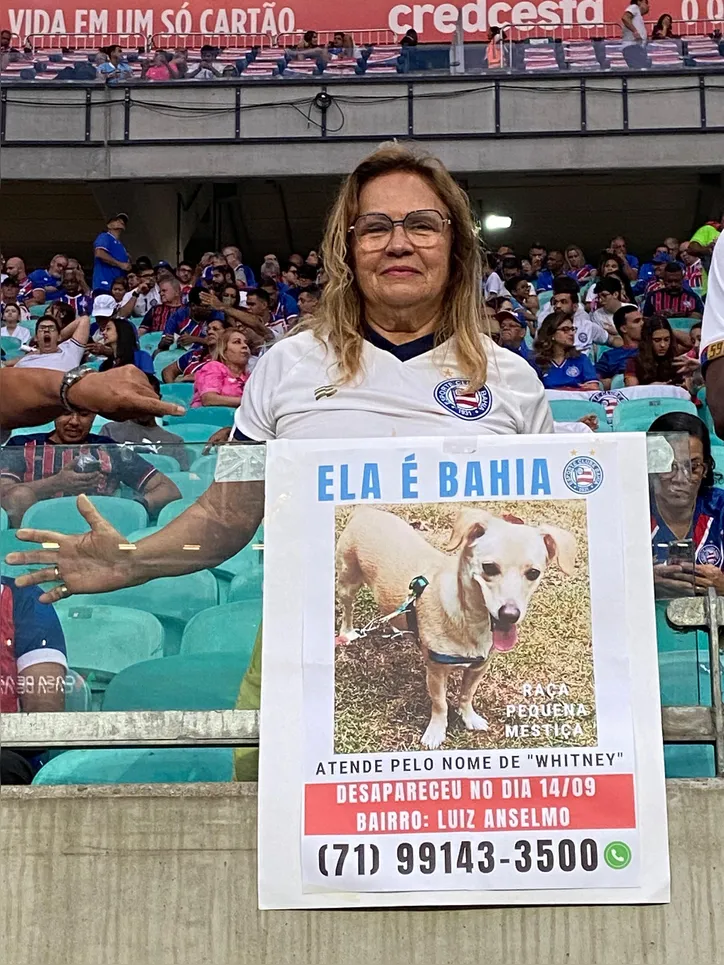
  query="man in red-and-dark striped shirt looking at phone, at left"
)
[{"x": 72, "y": 460}]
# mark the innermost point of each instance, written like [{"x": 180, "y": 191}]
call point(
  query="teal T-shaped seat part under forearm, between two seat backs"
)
[{"x": 173, "y": 600}]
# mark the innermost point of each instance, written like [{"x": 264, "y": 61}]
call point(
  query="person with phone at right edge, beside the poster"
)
[{"x": 687, "y": 511}]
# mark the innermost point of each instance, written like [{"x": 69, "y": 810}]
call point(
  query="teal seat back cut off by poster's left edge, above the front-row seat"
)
[{"x": 230, "y": 628}]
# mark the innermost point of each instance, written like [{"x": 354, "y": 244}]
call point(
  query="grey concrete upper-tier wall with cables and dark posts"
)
[{"x": 138, "y": 133}]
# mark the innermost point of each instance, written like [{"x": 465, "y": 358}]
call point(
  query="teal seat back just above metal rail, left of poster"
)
[{"x": 198, "y": 681}]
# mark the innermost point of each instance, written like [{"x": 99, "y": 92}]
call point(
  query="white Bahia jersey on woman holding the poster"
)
[{"x": 292, "y": 395}]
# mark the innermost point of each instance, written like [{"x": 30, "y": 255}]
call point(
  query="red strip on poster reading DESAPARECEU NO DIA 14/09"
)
[{"x": 494, "y": 804}]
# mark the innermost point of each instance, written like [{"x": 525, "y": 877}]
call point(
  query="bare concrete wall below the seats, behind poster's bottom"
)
[{"x": 165, "y": 875}]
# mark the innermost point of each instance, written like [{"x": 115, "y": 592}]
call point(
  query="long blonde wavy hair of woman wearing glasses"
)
[{"x": 338, "y": 320}]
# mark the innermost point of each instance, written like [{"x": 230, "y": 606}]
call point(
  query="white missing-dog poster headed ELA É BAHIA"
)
[{"x": 460, "y": 701}]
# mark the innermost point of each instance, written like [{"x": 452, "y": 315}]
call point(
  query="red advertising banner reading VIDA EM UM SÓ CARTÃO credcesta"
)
[{"x": 437, "y": 21}]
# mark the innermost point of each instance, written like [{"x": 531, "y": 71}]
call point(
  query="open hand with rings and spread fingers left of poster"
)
[{"x": 91, "y": 562}]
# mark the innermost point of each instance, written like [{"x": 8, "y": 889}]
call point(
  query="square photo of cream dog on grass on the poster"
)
[{"x": 496, "y": 649}]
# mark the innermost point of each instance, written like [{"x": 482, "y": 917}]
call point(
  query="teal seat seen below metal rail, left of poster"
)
[{"x": 162, "y": 765}]
